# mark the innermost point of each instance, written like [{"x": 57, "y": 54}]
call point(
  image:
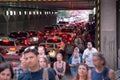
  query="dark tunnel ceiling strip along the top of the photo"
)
[{"x": 50, "y": 5}]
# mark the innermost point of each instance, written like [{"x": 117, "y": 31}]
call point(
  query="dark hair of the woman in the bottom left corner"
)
[{"x": 6, "y": 65}]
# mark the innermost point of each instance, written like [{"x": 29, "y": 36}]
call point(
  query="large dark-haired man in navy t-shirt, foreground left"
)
[{"x": 34, "y": 72}]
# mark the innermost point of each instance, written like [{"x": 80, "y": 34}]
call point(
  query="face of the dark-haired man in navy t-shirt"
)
[{"x": 31, "y": 59}]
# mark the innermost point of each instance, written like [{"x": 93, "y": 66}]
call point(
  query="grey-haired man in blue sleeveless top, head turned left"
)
[{"x": 100, "y": 71}]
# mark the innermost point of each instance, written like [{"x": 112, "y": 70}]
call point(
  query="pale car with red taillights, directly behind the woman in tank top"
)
[{"x": 53, "y": 45}]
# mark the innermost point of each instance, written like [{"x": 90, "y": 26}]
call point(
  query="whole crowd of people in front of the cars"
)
[{"x": 36, "y": 65}]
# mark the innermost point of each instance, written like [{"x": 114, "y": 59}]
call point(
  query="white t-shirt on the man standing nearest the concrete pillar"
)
[{"x": 87, "y": 56}]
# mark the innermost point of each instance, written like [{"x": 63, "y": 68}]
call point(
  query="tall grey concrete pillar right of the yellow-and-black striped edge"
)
[{"x": 108, "y": 32}]
